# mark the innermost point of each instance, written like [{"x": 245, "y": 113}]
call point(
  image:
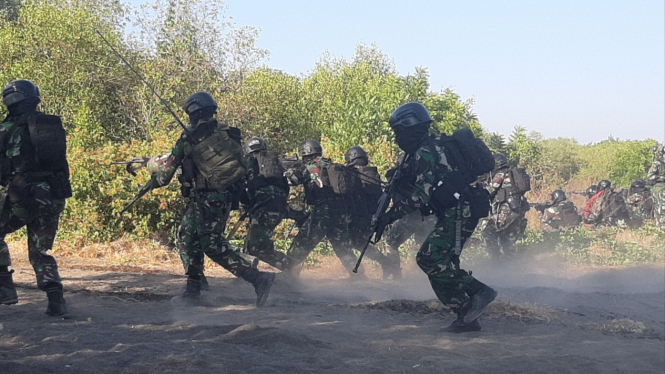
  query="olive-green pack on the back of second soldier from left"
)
[{"x": 218, "y": 160}]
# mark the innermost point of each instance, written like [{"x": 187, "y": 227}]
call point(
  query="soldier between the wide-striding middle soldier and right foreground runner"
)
[{"x": 365, "y": 205}]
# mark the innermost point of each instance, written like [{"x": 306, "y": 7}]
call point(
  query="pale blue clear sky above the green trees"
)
[{"x": 585, "y": 69}]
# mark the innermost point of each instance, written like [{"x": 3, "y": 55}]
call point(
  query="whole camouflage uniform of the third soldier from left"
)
[{"x": 267, "y": 207}]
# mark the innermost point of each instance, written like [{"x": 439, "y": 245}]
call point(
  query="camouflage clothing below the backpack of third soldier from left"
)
[{"x": 271, "y": 203}]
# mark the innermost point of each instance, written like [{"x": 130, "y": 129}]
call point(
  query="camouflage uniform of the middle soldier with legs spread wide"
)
[{"x": 329, "y": 217}]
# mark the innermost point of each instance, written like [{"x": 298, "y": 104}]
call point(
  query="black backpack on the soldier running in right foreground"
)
[{"x": 470, "y": 158}]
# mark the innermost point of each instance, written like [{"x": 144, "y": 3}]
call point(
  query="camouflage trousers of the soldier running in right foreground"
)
[{"x": 436, "y": 257}]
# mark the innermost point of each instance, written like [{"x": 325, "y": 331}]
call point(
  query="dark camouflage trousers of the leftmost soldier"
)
[{"x": 41, "y": 218}]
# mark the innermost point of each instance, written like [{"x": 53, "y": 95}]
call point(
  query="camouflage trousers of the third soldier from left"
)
[{"x": 259, "y": 243}]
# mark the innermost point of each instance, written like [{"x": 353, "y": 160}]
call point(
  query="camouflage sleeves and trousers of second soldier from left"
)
[{"x": 201, "y": 231}]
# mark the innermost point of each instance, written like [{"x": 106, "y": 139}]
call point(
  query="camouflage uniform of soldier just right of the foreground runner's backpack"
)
[{"x": 505, "y": 224}]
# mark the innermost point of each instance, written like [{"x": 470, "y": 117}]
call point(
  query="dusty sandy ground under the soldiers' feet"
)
[{"x": 549, "y": 318}]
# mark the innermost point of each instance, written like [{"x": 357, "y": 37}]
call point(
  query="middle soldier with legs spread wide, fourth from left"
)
[{"x": 330, "y": 215}]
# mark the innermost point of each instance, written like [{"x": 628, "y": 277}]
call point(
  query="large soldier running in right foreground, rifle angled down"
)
[{"x": 428, "y": 175}]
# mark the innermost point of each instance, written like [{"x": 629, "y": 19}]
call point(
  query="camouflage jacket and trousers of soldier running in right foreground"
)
[{"x": 436, "y": 256}]
